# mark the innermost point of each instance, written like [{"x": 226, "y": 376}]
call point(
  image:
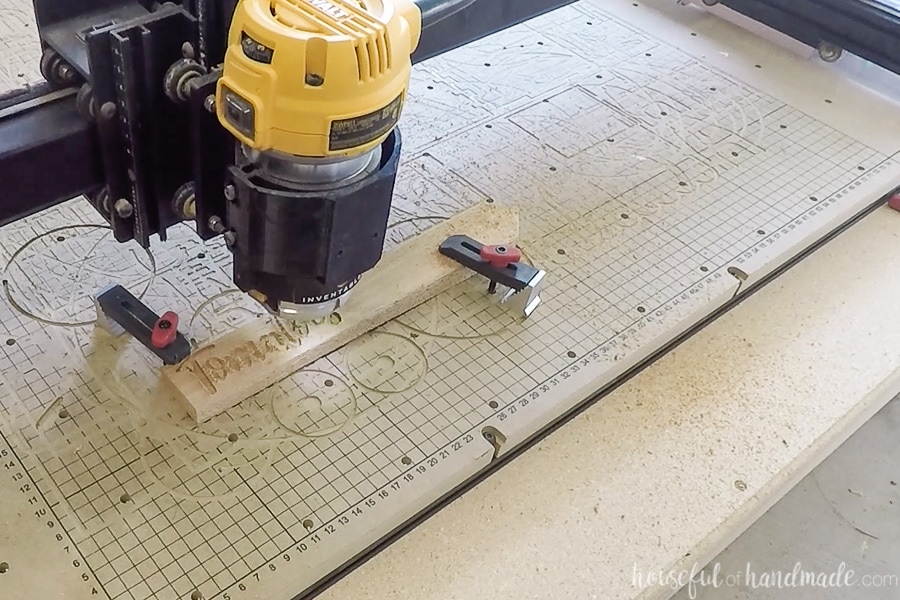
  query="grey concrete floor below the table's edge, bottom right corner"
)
[{"x": 846, "y": 511}]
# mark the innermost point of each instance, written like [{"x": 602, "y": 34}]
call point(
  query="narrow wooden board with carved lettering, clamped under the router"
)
[{"x": 218, "y": 376}]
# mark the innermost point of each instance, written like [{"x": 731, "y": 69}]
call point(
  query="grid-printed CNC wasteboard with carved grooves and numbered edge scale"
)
[{"x": 657, "y": 175}]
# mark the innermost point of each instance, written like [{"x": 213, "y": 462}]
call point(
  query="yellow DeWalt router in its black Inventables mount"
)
[{"x": 312, "y": 91}]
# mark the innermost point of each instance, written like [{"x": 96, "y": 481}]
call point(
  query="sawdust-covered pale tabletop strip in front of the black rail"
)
[{"x": 648, "y": 477}]
